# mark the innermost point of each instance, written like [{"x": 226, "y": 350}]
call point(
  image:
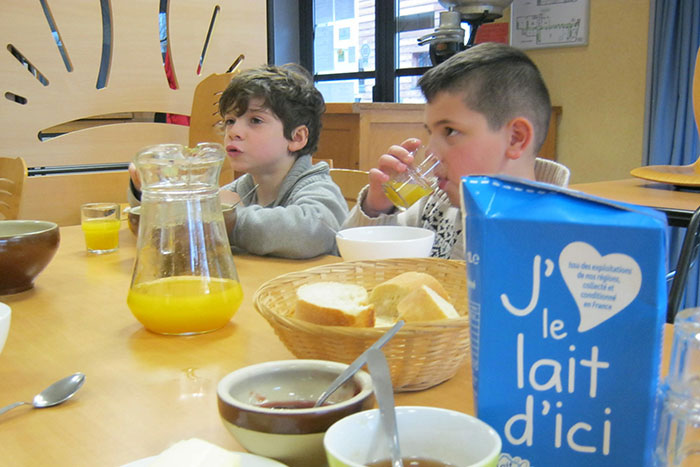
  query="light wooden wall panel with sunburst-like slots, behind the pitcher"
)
[{"x": 136, "y": 83}]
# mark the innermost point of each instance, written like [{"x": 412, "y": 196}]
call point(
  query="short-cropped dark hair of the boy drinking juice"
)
[{"x": 498, "y": 81}]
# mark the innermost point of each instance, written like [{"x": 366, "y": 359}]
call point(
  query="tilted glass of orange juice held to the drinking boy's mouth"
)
[{"x": 419, "y": 180}]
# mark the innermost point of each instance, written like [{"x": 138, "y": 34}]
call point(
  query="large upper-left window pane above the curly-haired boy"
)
[{"x": 343, "y": 36}]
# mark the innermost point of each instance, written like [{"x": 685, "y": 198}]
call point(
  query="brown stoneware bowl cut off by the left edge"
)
[{"x": 26, "y": 248}]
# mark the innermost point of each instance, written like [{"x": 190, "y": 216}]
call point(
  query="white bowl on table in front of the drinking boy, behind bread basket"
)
[{"x": 384, "y": 241}]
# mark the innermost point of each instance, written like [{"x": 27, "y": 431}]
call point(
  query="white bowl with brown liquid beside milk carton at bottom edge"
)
[{"x": 424, "y": 432}]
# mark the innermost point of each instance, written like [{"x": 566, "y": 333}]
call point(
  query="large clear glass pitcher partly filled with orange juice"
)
[{"x": 184, "y": 279}]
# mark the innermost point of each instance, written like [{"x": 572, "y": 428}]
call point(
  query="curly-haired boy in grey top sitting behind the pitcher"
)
[{"x": 272, "y": 123}]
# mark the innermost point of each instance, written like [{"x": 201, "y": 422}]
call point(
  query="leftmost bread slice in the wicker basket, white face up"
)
[{"x": 334, "y": 304}]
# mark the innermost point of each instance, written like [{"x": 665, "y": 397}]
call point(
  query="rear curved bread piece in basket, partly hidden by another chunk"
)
[{"x": 386, "y": 296}]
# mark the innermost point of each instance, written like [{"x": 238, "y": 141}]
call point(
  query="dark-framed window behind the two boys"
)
[{"x": 367, "y": 50}]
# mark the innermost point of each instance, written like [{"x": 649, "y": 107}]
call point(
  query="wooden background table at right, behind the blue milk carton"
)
[{"x": 677, "y": 203}]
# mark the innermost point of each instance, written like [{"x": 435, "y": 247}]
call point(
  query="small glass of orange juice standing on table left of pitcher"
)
[{"x": 101, "y": 224}]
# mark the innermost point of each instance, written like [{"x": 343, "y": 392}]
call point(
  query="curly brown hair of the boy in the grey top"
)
[{"x": 287, "y": 90}]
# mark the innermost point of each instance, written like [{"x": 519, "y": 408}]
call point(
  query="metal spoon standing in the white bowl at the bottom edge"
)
[{"x": 381, "y": 380}]
